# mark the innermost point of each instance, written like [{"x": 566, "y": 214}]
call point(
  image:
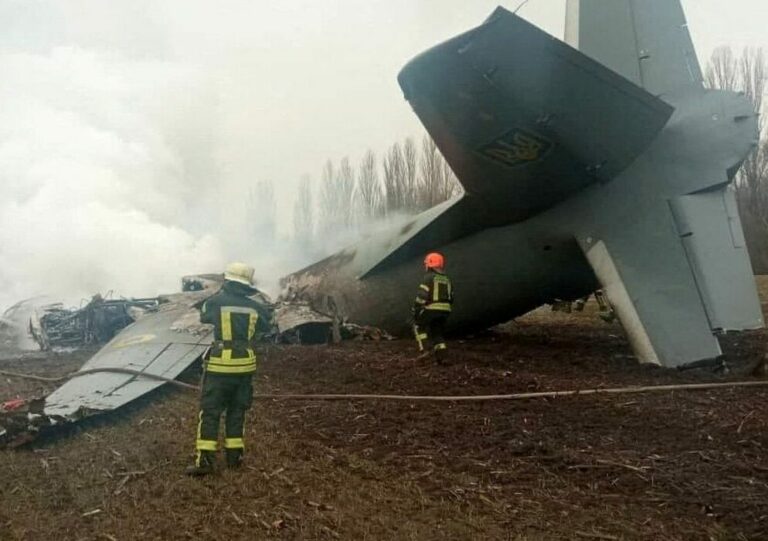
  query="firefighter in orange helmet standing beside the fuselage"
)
[{"x": 432, "y": 306}]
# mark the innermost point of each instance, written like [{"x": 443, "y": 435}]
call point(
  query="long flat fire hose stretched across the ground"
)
[{"x": 410, "y": 398}]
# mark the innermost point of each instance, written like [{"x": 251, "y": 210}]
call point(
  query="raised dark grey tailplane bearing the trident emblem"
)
[{"x": 513, "y": 111}]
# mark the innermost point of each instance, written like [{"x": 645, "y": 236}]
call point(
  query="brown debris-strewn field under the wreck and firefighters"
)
[{"x": 676, "y": 465}]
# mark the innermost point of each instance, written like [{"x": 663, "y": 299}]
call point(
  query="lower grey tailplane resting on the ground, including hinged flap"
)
[{"x": 702, "y": 281}]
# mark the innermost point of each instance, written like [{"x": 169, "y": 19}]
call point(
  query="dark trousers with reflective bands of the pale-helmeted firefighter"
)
[{"x": 232, "y": 395}]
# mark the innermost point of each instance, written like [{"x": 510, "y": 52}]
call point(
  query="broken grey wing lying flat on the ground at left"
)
[{"x": 163, "y": 343}]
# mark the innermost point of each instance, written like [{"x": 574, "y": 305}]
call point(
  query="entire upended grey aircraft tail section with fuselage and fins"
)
[{"x": 605, "y": 163}]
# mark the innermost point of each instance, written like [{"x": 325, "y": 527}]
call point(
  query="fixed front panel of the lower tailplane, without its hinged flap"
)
[{"x": 666, "y": 310}]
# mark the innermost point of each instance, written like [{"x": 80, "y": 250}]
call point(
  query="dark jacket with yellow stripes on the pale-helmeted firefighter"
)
[{"x": 236, "y": 320}]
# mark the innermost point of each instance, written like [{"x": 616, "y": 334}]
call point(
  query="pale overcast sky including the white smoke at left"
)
[{"x": 154, "y": 115}]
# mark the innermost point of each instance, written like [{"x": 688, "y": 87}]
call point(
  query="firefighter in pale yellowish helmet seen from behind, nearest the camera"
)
[{"x": 227, "y": 374}]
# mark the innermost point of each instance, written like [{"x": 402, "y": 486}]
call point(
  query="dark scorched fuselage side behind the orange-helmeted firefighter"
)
[{"x": 499, "y": 274}]
